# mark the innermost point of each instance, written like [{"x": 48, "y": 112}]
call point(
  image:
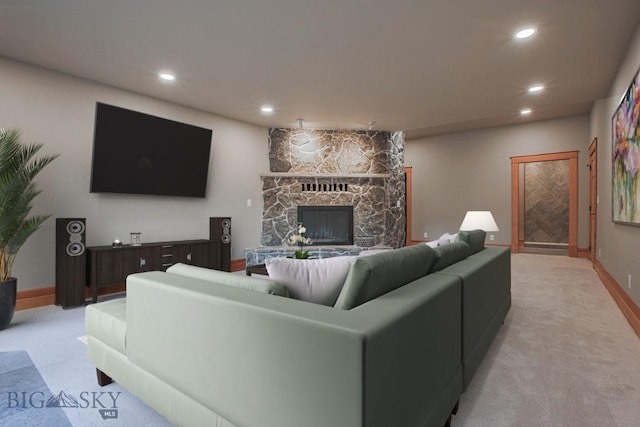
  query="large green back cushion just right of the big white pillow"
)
[{"x": 375, "y": 275}]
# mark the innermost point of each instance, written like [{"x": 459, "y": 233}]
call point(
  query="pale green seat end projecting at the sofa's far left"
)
[{"x": 107, "y": 322}]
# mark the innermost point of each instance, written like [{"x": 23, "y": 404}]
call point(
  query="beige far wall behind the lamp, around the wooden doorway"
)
[{"x": 463, "y": 171}]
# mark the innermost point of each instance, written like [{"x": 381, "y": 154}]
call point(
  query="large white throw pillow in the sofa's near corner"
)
[{"x": 313, "y": 280}]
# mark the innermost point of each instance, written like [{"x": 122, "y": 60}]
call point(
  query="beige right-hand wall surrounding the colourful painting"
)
[{"x": 617, "y": 245}]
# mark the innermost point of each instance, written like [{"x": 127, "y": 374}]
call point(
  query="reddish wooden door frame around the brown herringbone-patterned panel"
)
[{"x": 572, "y": 156}]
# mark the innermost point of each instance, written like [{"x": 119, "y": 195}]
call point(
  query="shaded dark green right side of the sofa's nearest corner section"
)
[{"x": 413, "y": 364}]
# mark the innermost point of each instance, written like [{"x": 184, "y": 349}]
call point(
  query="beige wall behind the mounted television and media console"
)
[{"x": 58, "y": 111}]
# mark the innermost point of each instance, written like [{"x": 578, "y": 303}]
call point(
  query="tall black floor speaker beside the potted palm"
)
[{"x": 71, "y": 261}]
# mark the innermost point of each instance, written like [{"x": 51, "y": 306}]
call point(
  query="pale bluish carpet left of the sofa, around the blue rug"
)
[{"x": 50, "y": 336}]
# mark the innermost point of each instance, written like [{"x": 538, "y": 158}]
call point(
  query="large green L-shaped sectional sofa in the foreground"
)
[{"x": 211, "y": 348}]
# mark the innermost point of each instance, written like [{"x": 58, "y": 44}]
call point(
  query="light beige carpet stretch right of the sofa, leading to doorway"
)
[{"x": 565, "y": 356}]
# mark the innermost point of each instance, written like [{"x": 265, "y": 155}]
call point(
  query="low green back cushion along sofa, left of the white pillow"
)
[{"x": 229, "y": 279}]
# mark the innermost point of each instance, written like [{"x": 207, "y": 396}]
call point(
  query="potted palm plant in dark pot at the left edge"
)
[{"x": 18, "y": 168}]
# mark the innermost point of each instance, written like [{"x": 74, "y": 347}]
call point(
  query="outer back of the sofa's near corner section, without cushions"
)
[{"x": 261, "y": 360}]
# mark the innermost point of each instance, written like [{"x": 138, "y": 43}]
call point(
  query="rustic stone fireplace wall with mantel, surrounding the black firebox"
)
[{"x": 311, "y": 168}]
